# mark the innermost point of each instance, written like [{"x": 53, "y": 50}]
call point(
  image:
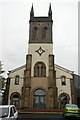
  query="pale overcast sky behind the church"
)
[{"x": 14, "y": 31}]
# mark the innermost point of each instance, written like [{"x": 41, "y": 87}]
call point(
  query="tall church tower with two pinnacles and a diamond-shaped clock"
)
[{"x": 39, "y": 89}]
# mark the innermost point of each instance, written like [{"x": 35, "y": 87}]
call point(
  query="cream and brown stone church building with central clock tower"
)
[{"x": 40, "y": 83}]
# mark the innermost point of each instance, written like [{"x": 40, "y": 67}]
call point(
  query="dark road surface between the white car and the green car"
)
[{"x": 43, "y": 116}]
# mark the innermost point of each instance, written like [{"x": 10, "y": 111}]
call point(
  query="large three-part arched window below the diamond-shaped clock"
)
[{"x": 40, "y": 69}]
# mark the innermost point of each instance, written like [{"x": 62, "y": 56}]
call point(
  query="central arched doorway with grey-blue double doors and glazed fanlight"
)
[{"x": 39, "y": 99}]
